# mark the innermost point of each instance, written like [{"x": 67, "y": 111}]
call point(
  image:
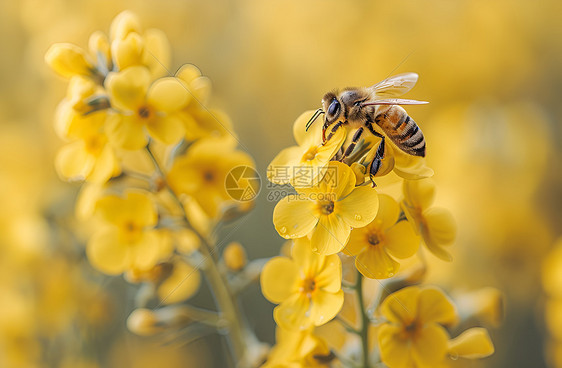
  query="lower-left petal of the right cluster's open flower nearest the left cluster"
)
[{"x": 292, "y": 314}]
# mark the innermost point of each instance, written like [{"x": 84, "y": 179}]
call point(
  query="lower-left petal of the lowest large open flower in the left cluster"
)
[{"x": 106, "y": 253}]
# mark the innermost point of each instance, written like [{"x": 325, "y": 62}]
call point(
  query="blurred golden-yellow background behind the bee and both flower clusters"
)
[{"x": 491, "y": 71}]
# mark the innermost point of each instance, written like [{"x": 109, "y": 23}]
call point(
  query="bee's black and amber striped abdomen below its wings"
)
[{"x": 402, "y": 130}]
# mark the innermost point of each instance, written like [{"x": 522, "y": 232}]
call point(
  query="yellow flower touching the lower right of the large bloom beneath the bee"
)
[{"x": 376, "y": 244}]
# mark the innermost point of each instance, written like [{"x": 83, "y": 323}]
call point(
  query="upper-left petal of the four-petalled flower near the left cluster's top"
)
[{"x": 127, "y": 89}]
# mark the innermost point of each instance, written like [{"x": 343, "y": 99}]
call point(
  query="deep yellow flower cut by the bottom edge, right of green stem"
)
[{"x": 413, "y": 335}]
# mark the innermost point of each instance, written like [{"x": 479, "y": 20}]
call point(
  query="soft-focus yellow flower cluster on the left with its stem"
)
[{"x": 155, "y": 161}]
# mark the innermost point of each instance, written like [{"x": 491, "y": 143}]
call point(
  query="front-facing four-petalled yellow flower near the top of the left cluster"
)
[{"x": 142, "y": 105}]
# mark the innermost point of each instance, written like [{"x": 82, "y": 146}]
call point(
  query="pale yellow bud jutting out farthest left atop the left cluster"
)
[{"x": 69, "y": 60}]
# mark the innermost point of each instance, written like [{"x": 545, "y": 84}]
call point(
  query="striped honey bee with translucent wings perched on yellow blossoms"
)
[{"x": 362, "y": 109}]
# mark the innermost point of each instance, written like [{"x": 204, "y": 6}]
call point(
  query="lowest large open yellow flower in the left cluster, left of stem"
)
[{"x": 127, "y": 239}]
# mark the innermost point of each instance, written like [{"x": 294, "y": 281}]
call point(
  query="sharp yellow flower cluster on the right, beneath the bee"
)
[{"x": 337, "y": 219}]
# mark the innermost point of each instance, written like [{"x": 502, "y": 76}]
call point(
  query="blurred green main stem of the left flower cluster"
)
[{"x": 225, "y": 300}]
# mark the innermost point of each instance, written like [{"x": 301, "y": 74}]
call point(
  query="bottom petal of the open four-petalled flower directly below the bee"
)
[{"x": 330, "y": 235}]
